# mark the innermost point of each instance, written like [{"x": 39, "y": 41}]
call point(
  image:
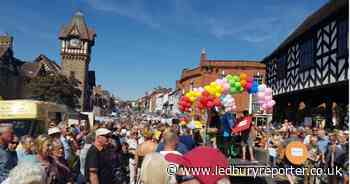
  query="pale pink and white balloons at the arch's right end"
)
[{"x": 265, "y": 98}]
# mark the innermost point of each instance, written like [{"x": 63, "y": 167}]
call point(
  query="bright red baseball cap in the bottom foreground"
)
[{"x": 202, "y": 157}]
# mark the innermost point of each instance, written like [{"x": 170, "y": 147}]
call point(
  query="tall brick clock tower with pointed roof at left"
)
[{"x": 77, "y": 40}]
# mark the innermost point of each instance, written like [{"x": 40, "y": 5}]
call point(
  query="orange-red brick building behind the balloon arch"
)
[{"x": 210, "y": 70}]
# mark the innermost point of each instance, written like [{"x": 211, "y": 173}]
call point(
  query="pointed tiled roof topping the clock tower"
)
[{"x": 78, "y": 27}]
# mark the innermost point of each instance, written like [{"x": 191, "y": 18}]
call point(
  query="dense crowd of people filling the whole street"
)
[{"x": 136, "y": 150}]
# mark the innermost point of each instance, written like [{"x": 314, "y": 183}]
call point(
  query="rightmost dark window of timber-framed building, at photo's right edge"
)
[{"x": 343, "y": 30}]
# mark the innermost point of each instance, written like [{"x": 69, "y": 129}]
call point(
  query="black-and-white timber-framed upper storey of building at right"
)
[{"x": 313, "y": 59}]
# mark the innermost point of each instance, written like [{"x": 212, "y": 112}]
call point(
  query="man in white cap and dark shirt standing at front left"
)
[{"x": 95, "y": 172}]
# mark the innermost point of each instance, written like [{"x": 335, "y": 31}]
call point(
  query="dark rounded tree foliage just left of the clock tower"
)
[{"x": 56, "y": 88}]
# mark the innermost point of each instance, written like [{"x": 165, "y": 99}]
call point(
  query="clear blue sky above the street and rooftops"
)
[{"x": 142, "y": 44}]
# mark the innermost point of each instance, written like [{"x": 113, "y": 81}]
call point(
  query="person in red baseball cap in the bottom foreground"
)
[{"x": 201, "y": 157}]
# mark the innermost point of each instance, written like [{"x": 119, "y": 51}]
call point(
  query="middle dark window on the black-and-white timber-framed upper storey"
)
[{"x": 307, "y": 54}]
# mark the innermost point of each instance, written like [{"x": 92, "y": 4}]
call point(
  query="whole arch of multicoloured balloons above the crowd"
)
[{"x": 220, "y": 91}]
